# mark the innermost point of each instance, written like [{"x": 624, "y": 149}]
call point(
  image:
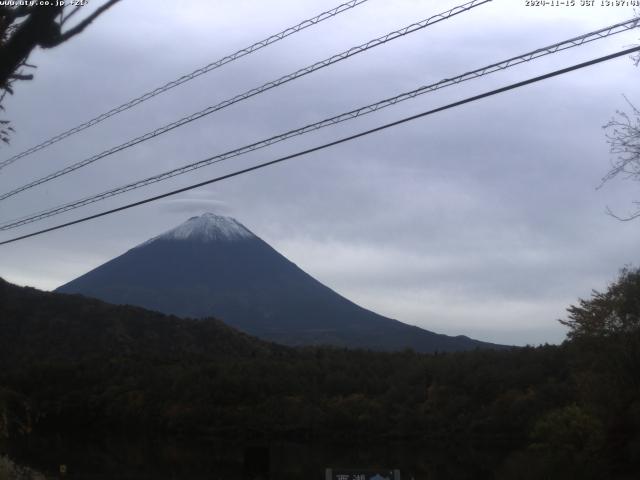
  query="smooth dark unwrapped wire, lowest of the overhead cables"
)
[{"x": 335, "y": 142}]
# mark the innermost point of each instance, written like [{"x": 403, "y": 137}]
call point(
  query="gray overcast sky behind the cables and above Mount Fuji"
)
[{"x": 483, "y": 220}]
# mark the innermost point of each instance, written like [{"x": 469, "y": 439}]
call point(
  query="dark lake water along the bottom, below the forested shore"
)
[{"x": 182, "y": 459}]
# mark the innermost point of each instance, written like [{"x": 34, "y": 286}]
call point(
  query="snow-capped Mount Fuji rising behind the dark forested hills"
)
[{"x": 213, "y": 266}]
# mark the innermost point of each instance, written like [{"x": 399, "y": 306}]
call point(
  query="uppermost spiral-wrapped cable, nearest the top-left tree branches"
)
[{"x": 188, "y": 77}]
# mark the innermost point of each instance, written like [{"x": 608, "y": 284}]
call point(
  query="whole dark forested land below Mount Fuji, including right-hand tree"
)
[{"x": 68, "y": 363}]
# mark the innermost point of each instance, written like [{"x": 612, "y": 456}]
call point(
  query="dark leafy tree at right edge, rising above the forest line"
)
[{"x": 605, "y": 345}]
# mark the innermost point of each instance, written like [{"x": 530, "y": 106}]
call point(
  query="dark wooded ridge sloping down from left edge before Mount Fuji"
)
[{"x": 56, "y": 327}]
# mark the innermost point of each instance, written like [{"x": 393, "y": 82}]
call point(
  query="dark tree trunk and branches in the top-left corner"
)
[{"x": 25, "y": 27}]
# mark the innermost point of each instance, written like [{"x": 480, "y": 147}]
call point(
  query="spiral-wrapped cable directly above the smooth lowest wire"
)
[{"x": 572, "y": 42}]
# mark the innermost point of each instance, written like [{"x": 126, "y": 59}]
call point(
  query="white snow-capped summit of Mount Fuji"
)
[{"x": 207, "y": 227}]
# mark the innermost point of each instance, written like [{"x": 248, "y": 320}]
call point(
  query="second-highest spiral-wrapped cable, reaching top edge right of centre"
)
[{"x": 254, "y": 91}]
